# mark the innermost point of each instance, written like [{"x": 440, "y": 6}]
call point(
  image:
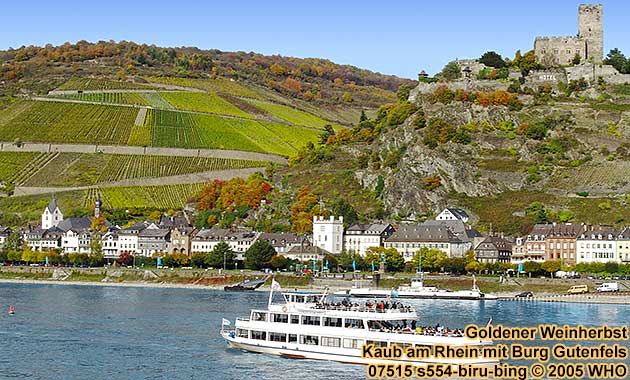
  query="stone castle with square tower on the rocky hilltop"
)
[{"x": 588, "y": 45}]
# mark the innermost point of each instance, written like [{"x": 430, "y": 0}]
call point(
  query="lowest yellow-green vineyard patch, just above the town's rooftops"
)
[{"x": 162, "y": 197}]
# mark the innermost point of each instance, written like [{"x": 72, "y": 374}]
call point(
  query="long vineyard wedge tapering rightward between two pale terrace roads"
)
[{"x": 76, "y": 169}]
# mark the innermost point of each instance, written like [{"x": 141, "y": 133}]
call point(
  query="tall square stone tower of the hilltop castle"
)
[{"x": 591, "y": 29}]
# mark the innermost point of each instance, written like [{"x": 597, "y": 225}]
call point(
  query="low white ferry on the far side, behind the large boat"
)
[{"x": 417, "y": 290}]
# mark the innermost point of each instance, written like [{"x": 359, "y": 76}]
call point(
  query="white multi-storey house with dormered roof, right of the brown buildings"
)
[{"x": 597, "y": 245}]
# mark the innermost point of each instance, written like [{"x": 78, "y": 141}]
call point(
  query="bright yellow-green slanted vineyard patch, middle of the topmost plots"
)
[{"x": 203, "y": 102}]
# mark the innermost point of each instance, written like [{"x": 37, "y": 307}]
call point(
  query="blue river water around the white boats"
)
[{"x": 93, "y": 332}]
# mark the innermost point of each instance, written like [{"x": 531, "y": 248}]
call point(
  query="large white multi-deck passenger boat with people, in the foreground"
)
[{"x": 307, "y": 326}]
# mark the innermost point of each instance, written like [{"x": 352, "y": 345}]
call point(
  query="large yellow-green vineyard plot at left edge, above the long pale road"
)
[{"x": 67, "y": 122}]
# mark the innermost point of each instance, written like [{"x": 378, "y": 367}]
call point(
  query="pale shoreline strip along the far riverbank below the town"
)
[{"x": 593, "y": 298}]
